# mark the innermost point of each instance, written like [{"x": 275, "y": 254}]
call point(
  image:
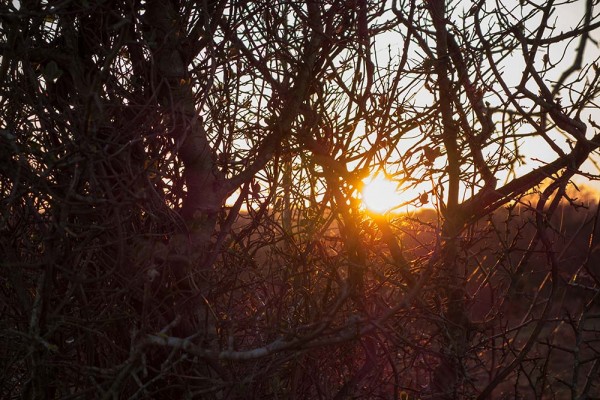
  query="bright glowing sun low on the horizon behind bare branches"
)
[{"x": 380, "y": 195}]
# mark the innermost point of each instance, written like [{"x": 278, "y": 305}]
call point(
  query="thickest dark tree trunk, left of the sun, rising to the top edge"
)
[{"x": 205, "y": 184}]
